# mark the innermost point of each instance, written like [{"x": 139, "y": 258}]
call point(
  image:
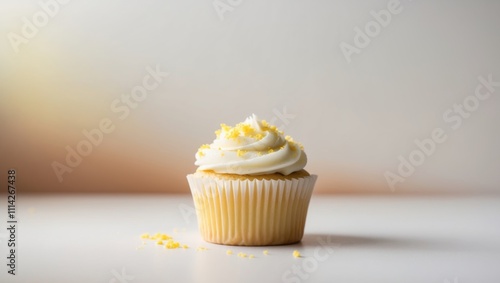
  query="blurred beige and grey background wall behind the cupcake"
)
[{"x": 357, "y": 82}]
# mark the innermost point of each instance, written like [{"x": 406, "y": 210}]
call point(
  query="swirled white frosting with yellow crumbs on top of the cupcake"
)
[{"x": 252, "y": 147}]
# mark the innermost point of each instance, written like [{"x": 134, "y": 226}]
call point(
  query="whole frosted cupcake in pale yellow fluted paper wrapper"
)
[{"x": 250, "y": 188}]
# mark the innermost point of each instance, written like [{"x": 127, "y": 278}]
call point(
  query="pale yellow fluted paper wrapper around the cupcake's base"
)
[{"x": 251, "y": 212}]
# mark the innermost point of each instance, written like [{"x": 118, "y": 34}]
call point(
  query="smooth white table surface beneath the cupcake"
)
[{"x": 95, "y": 238}]
